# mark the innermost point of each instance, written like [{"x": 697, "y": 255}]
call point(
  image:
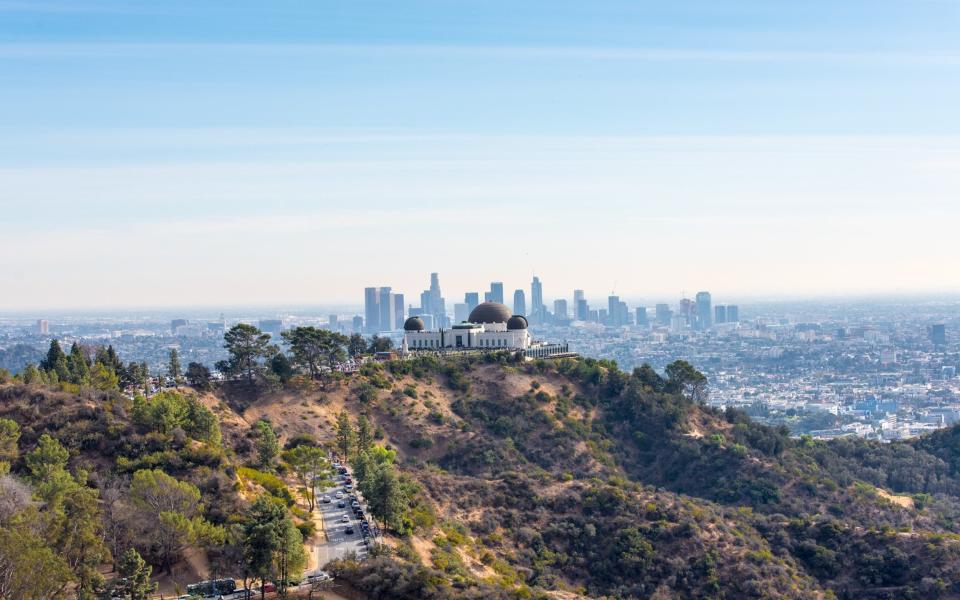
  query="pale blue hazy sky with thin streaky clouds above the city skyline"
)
[{"x": 201, "y": 153}]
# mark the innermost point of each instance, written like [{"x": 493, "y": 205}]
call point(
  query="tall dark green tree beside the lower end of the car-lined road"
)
[{"x": 273, "y": 547}]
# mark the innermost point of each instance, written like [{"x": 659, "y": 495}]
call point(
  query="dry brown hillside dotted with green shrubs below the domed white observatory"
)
[{"x": 562, "y": 479}]
